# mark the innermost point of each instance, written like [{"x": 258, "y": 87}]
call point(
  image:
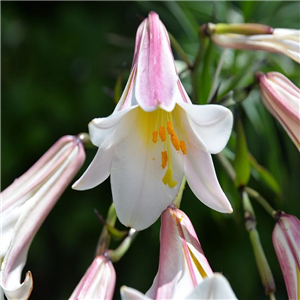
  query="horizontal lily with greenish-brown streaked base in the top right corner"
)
[{"x": 257, "y": 37}]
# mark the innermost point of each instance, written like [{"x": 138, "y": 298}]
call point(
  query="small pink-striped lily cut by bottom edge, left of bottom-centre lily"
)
[{"x": 98, "y": 282}]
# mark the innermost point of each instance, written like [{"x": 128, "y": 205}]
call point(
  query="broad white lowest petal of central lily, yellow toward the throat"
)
[{"x": 139, "y": 193}]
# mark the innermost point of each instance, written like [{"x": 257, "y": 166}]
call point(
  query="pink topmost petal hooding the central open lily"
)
[{"x": 156, "y": 79}]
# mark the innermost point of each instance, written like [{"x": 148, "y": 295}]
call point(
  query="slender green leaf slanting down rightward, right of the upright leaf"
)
[{"x": 262, "y": 173}]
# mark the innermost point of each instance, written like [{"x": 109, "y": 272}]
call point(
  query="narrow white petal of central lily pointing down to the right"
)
[{"x": 202, "y": 179}]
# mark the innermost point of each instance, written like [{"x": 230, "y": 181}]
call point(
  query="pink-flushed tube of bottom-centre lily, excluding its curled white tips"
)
[{"x": 182, "y": 264}]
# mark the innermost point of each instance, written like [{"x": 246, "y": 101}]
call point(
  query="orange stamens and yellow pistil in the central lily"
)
[{"x": 163, "y": 132}]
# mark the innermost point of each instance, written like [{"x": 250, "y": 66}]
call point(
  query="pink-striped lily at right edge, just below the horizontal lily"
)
[{"x": 281, "y": 97}]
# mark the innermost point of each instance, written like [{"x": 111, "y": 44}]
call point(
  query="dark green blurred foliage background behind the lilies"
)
[{"x": 59, "y": 64}]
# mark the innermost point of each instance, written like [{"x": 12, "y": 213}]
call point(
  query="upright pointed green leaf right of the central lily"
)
[{"x": 241, "y": 163}]
